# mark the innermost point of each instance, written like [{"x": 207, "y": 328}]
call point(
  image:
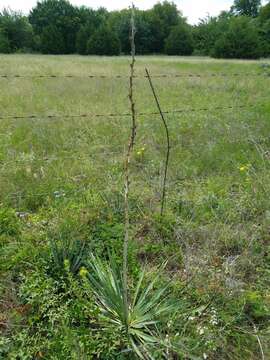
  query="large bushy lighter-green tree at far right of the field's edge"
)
[{"x": 241, "y": 41}]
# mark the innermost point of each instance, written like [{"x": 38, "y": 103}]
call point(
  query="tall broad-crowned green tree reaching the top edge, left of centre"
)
[{"x": 62, "y": 19}]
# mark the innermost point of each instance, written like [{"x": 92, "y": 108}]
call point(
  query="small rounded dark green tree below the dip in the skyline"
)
[{"x": 180, "y": 41}]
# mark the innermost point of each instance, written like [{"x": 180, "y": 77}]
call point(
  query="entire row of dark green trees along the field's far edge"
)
[{"x": 58, "y": 27}]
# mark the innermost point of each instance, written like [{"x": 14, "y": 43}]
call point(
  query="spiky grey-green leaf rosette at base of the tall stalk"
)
[{"x": 138, "y": 321}]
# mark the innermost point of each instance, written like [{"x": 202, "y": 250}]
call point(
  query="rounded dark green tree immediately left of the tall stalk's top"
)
[{"x": 103, "y": 42}]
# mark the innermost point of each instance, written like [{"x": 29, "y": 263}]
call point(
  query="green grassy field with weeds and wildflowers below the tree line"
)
[{"x": 63, "y": 178}]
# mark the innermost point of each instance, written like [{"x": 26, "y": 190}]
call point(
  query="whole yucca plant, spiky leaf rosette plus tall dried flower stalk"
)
[{"x": 137, "y": 315}]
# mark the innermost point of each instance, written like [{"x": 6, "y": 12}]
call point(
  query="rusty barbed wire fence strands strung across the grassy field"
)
[{"x": 187, "y": 110}]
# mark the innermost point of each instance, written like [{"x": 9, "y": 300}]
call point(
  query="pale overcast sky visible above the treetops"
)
[{"x": 192, "y": 9}]
